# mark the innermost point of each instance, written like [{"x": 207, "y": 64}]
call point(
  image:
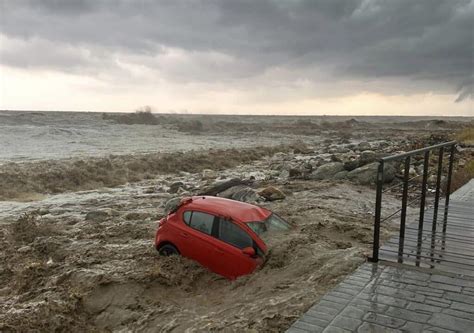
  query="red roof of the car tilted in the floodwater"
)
[{"x": 237, "y": 210}]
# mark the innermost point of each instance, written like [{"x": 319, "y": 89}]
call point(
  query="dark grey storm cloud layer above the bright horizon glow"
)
[{"x": 427, "y": 40}]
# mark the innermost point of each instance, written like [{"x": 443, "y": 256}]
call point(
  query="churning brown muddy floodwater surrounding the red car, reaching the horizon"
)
[{"x": 80, "y": 195}]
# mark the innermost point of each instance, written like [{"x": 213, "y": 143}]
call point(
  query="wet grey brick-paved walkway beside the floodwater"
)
[{"x": 400, "y": 297}]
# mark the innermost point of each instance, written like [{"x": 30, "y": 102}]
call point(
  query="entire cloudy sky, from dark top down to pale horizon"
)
[{"x": 233, "y": 56}]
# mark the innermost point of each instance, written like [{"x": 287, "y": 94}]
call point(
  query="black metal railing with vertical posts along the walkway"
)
[{"x": 451, "y": 146}]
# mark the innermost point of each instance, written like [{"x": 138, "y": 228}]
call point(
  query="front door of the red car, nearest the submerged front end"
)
[{"x": 230, "y": 260}]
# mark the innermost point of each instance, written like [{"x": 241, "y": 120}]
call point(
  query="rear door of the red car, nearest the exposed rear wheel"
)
[{"x": 197, "y": 237}]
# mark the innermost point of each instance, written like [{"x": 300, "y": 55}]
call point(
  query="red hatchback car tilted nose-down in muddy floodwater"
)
[{"x": 220, "y": 234}]
